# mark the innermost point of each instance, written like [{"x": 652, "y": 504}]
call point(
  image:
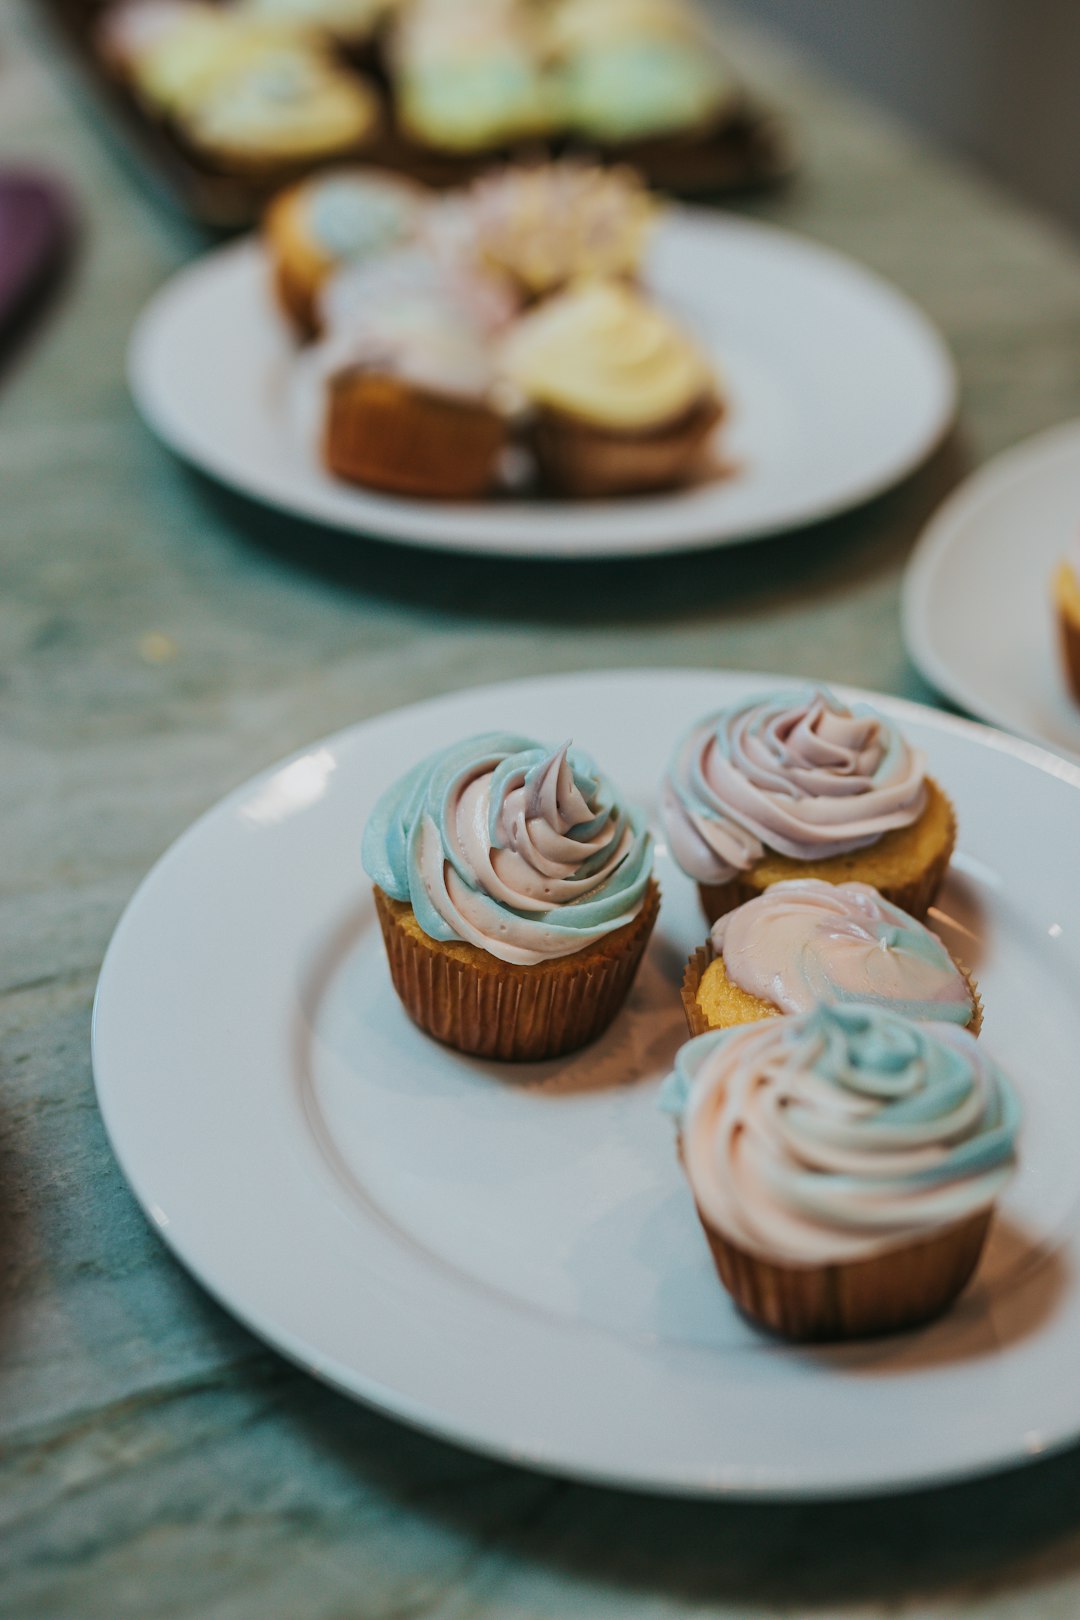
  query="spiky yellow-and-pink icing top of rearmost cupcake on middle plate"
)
[{"x": 548, "y": 224}]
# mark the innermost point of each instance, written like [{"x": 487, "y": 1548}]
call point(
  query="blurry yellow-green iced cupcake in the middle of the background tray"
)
[{"x": 470, "y": 80}]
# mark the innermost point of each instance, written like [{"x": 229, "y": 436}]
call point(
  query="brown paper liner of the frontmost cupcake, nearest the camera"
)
[{"x": 856, "y": 1298}]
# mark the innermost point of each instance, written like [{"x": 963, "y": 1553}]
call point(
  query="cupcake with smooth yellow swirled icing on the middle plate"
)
[{"x": 623, "y": 398}]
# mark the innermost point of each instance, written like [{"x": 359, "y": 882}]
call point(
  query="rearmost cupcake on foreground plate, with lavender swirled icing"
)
[{"x": 799, "y": 785}]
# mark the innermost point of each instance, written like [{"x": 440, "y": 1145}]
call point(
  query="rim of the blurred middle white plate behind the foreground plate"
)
[{"x": 571, "y": 529}]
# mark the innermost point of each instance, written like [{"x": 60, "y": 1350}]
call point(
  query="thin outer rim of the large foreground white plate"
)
[{"x": 736, "y": 1486}]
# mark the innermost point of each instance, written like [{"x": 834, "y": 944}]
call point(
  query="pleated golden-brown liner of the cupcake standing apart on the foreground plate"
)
[{"x": 495, "y": 1010}]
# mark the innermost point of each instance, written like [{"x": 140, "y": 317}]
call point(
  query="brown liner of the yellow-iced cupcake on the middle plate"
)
[{"x": 584, "y": 461}]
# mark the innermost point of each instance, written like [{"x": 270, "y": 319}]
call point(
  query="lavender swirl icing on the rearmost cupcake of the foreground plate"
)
[{"x": 794, "y": 772}]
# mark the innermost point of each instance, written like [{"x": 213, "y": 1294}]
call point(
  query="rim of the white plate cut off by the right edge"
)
[{"x": 980, "y": 490}]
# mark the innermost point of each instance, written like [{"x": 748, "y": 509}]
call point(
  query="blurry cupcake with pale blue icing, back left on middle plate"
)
[{"x": 346, "y": 218}]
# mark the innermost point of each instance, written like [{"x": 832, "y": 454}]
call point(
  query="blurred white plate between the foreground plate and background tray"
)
[{"x": 802, "y": 335}]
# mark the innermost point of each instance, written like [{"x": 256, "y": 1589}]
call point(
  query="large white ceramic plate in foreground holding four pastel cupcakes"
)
[{"x": 509, "y": 1256}]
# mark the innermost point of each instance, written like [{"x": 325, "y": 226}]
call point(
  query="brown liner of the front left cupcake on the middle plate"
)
[{"x": 389, "y": 435}]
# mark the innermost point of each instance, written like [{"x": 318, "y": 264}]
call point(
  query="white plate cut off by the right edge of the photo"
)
[{"x": 977, "y": 597}]
